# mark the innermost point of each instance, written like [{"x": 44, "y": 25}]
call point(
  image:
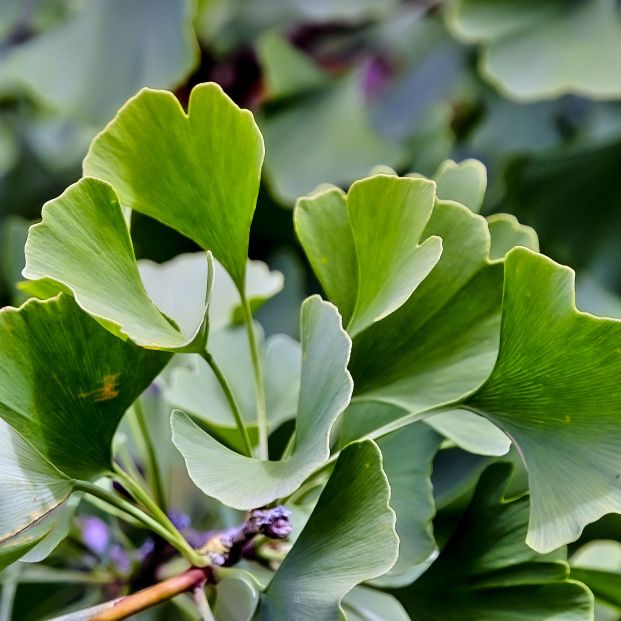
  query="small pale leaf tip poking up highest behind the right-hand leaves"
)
[{"x": 463, "y": 183}]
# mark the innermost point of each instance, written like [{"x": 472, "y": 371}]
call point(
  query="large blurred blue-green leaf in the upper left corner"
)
[{"x": 88, "y": 84}]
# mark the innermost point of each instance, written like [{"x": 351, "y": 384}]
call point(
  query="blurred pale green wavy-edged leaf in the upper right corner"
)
[{"x": 541, "y": 50}]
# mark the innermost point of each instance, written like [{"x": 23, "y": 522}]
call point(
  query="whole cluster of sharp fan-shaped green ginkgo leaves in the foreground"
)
[{"x": 441, "y": 328}]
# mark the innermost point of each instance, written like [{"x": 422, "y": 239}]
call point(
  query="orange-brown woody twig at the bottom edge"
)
[{"x": 147, "y": 598}]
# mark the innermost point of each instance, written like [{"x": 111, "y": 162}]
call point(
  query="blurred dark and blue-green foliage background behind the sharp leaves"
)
[{"x": 532, "y": 88}]
